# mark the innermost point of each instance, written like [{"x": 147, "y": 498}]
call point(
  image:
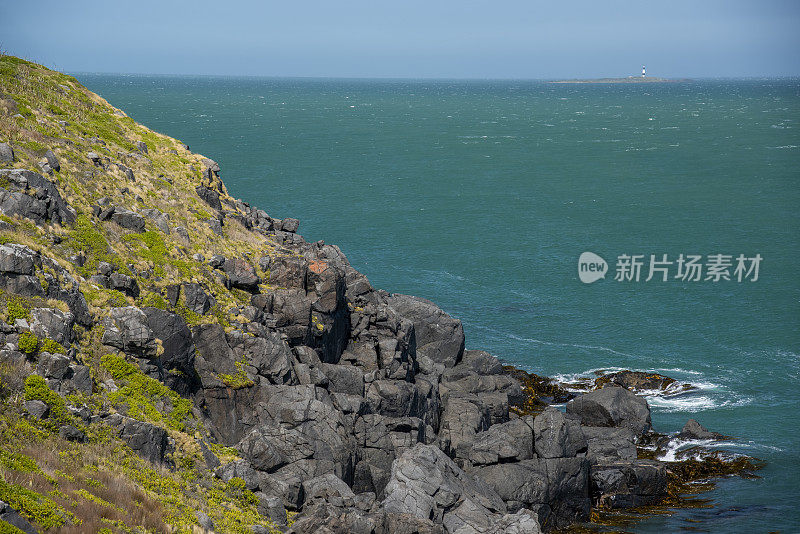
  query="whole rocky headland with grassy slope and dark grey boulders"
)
[{"x": 174, "y": 359}]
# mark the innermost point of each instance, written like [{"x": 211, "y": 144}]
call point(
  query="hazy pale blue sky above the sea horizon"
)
[{"x": 409, "y": 38}]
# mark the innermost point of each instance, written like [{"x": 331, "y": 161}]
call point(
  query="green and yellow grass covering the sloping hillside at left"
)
[{"x": 106, "y": 158}]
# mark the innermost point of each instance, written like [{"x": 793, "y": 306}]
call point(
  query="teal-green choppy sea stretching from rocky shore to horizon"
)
[{"x": 481, "y": 195}]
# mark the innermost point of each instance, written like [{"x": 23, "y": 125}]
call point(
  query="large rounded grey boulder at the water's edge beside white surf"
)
[{"x": 612, "y": 407}]
